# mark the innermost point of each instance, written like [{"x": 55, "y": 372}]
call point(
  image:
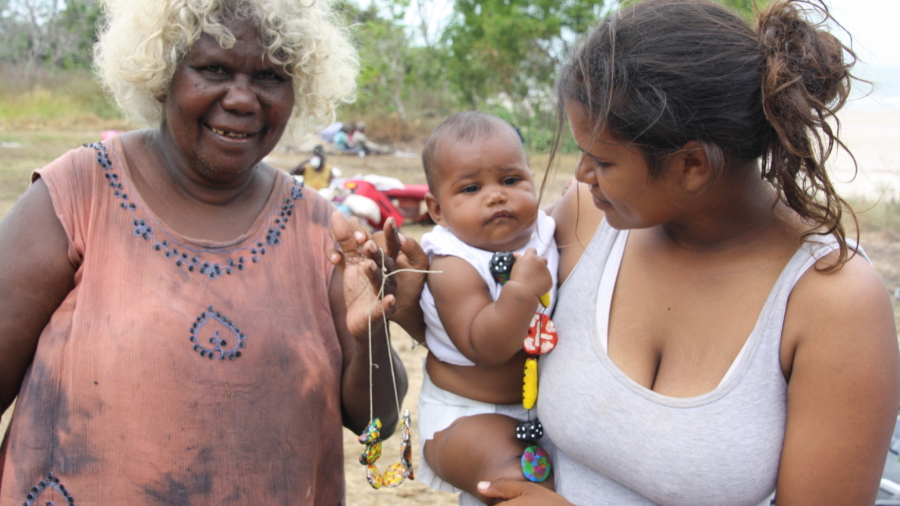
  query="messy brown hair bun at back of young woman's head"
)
[{"x": 803, "y": 60}]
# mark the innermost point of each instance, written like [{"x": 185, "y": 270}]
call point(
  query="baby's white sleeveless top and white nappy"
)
[{"x": 439, "y": 408}]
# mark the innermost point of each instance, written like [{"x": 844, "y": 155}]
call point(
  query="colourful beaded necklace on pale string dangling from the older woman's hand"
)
[{"x": 397, "y": 472}]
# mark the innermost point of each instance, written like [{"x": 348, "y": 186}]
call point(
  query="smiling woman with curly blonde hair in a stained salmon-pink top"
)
[{"x": 170, "y": 318}]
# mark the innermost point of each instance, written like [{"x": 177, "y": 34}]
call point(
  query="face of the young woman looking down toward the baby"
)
[{"x": 619, "y": 177}]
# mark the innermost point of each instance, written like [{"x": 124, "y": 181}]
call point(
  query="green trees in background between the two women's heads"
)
[{"x": 500, "y": 56}]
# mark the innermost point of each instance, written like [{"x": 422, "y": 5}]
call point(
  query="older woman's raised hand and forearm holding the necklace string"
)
[{"x": 353, "y": 301}]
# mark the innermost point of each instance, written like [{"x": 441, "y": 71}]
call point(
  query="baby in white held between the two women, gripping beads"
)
[{"x": 483, "y": 199}]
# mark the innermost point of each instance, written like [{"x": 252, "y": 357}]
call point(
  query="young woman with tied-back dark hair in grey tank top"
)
[{"x": 720, "y": 337}]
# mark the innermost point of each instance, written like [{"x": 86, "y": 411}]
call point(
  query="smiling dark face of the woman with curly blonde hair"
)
[{"x": 226, "y": 108}]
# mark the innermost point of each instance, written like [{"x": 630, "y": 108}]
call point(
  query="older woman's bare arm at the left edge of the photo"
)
[{"x": 35, "y": 276}]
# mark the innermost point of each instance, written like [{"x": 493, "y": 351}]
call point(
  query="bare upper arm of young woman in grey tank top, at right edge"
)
[{"x": 840, "y": 355}]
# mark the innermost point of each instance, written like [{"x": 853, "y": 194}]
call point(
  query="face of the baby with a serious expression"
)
[{"x": 485, "y": 191}]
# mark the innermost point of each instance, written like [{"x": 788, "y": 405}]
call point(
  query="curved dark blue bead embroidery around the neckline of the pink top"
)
[{"x": 192, "y": 262}]
